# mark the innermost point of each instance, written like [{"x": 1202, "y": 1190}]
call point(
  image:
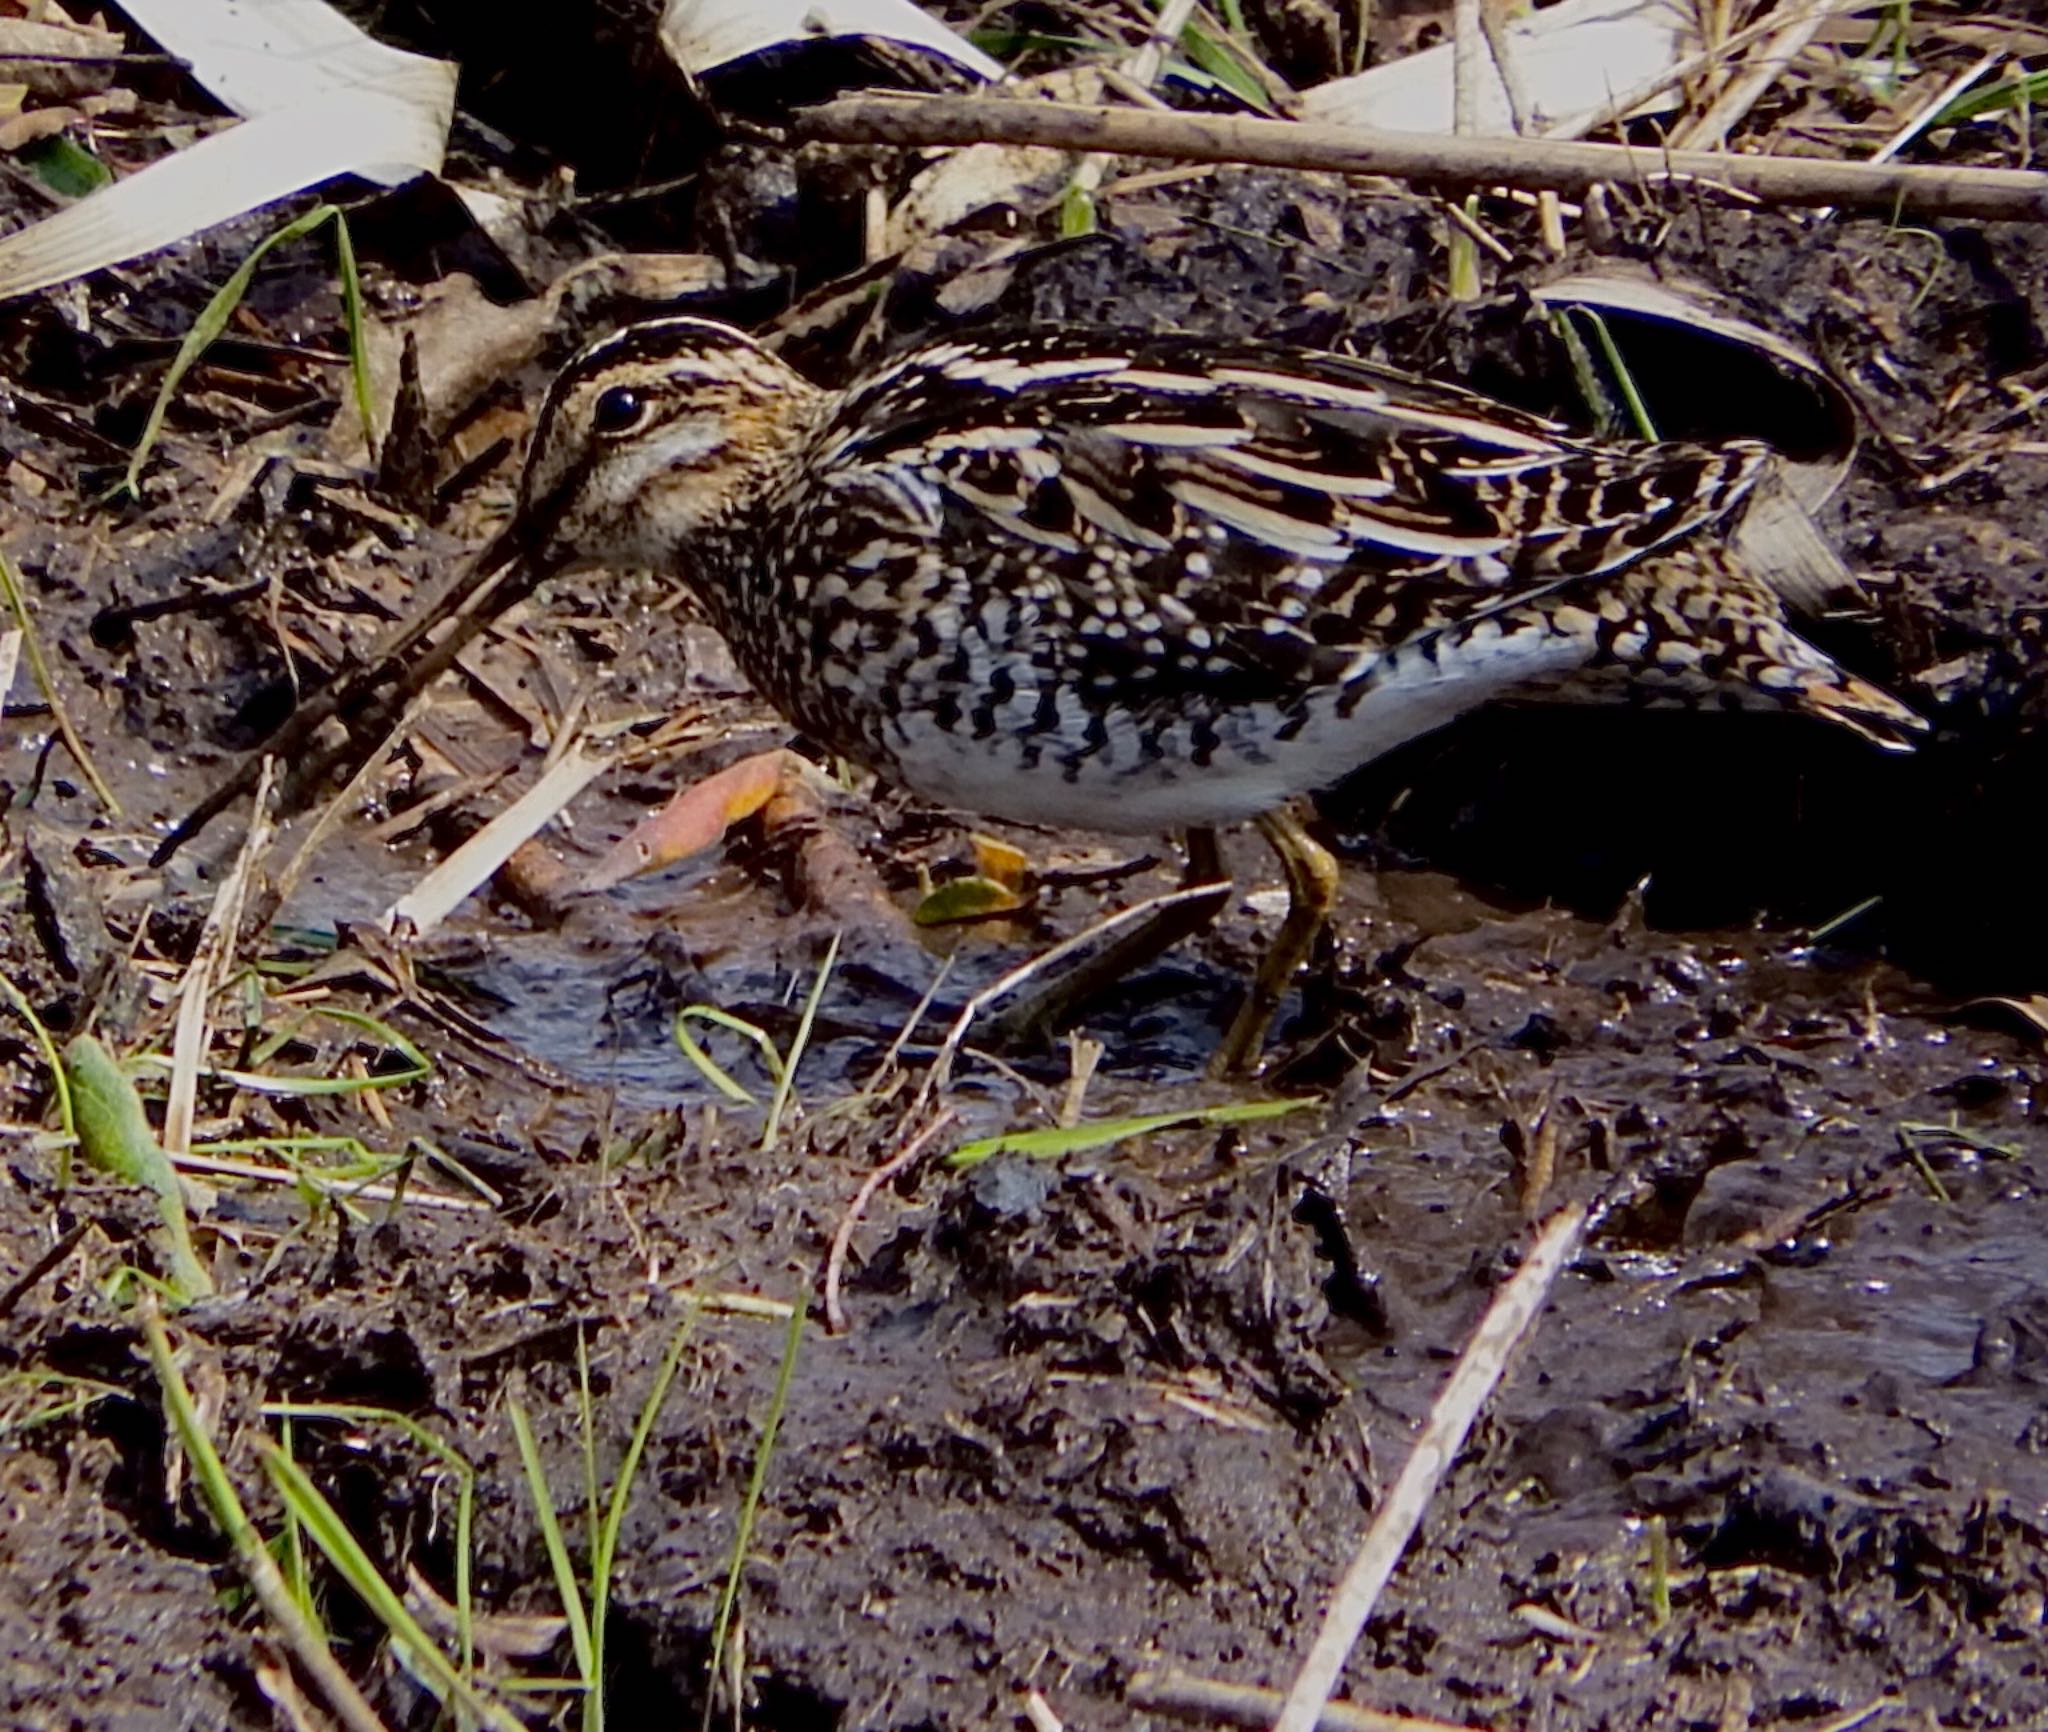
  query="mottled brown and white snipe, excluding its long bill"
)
[{"x": 1154, "y": 582}]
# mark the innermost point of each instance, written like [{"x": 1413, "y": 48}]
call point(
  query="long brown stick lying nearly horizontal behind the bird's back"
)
[{"x": 1539, "y": 165}]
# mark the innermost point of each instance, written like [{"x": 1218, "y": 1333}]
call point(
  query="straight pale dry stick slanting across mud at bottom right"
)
[{"x": 1476, "y": 1377}]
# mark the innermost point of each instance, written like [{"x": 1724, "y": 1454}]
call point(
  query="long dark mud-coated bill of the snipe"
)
[{"x": 372, "y": 697}]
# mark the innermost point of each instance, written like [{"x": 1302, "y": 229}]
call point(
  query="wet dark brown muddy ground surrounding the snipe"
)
[{"x": 1127, "y": 1412}]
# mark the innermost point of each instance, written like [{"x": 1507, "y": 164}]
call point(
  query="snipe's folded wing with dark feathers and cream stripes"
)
[{"x": 1209, "y": 515}]
